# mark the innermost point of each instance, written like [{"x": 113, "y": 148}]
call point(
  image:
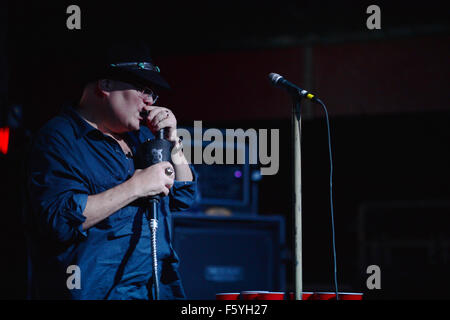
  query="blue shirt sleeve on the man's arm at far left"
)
[{"x": 57, "y": 191}]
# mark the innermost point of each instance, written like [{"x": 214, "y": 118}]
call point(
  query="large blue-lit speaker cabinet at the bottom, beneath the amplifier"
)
[{"x": 229, "y": 254}]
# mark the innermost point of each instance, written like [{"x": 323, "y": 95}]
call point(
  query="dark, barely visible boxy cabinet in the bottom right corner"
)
[{"x": 410, "y": 243}]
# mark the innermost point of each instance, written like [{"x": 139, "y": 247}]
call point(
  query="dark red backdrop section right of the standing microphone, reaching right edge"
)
[{"x": 383, "y": 77}]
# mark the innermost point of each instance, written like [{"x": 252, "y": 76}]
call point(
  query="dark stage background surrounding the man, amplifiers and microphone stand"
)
[{"x": 386, "y": 92}]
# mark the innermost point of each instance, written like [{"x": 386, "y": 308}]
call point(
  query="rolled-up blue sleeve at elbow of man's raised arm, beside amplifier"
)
[{"x": 183, "y": 193}]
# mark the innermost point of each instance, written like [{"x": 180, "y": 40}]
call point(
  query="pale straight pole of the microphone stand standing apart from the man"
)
[{"x": 297, "y": 197}]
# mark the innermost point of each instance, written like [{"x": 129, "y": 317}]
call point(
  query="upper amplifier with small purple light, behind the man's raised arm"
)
[{"x": 228, "y": 180}]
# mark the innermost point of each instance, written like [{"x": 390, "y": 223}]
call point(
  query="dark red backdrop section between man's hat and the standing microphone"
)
[{"x": 230, "y": 85}]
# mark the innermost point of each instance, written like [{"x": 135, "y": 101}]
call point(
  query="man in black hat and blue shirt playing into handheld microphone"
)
[{"x": 91, "y": 237}]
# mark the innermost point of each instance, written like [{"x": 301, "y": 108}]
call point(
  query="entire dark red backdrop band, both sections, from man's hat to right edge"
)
[{"x": 404, "y": 75}]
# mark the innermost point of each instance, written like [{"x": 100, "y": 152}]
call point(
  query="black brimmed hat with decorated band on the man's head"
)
[{"x": 128, "y": 61}]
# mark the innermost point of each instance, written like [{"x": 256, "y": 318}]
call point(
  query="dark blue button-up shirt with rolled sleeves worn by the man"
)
[{"x": 71, "y": 160}]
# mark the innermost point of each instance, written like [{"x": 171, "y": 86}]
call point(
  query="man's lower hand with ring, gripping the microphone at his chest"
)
[{"x": 153, "y": 180}]
